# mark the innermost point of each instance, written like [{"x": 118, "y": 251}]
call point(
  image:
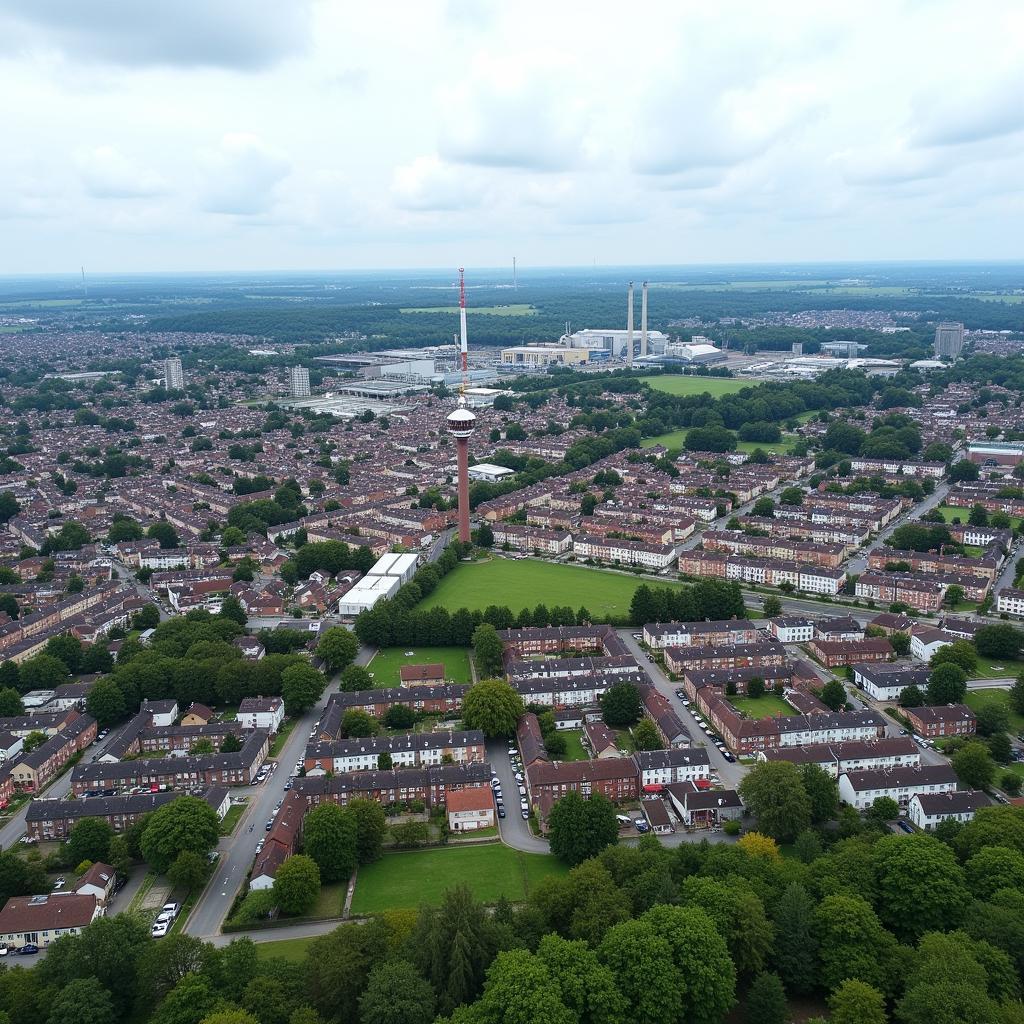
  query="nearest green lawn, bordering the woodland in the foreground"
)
[{"x": 405, "y": 881}]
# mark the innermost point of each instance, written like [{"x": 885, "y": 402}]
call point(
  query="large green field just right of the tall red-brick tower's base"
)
[{"x": 526, "y": 583}]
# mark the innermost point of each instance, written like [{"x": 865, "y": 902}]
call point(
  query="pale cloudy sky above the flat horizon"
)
[{"x": 315, "y": 135}]
